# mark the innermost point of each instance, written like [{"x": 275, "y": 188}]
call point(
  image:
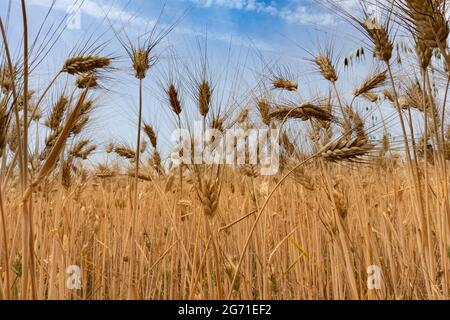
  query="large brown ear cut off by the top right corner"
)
[{"x": 430, "y": 20}]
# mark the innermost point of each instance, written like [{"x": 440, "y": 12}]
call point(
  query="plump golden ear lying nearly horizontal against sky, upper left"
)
[{"x": 85, "y": 64}]
